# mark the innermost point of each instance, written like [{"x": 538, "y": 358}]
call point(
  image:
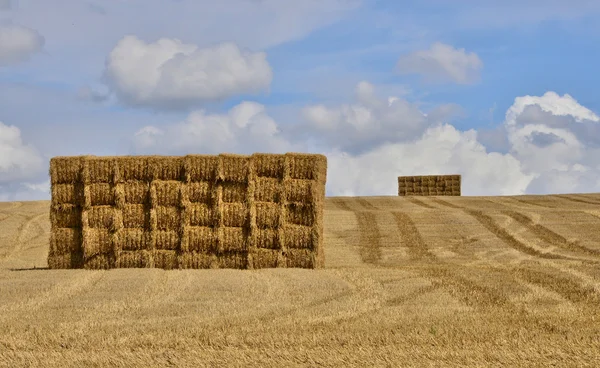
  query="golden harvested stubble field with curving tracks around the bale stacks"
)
[{"x": 428, "y": 281}]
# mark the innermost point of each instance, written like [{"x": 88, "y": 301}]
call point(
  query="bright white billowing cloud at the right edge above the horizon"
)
[{"x": 557, "y": 141}]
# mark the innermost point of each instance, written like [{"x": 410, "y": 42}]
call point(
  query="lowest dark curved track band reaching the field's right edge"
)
[{"x": 564, "y": 286}]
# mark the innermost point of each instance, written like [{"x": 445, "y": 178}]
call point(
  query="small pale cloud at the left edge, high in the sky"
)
[{"x": 18, "y": 43}]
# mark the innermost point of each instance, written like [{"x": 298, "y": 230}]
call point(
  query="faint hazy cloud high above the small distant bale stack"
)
[{"x": 442, "y": 63}]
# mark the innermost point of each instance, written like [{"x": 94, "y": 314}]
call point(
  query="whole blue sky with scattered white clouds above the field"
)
[{"x": 503, "y": 93}]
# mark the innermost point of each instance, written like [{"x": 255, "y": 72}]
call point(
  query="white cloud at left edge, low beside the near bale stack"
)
[{"x": 18, "y": 161}]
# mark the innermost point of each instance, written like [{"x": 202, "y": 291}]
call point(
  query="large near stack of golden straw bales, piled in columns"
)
[{"x": 195, "y": 211}]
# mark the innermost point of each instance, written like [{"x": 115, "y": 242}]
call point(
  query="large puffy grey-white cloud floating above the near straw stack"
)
[{"x": 171, "y": 74}]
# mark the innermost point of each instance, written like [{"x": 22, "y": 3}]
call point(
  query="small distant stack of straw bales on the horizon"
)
[{"x": 430, "y": 185}]
